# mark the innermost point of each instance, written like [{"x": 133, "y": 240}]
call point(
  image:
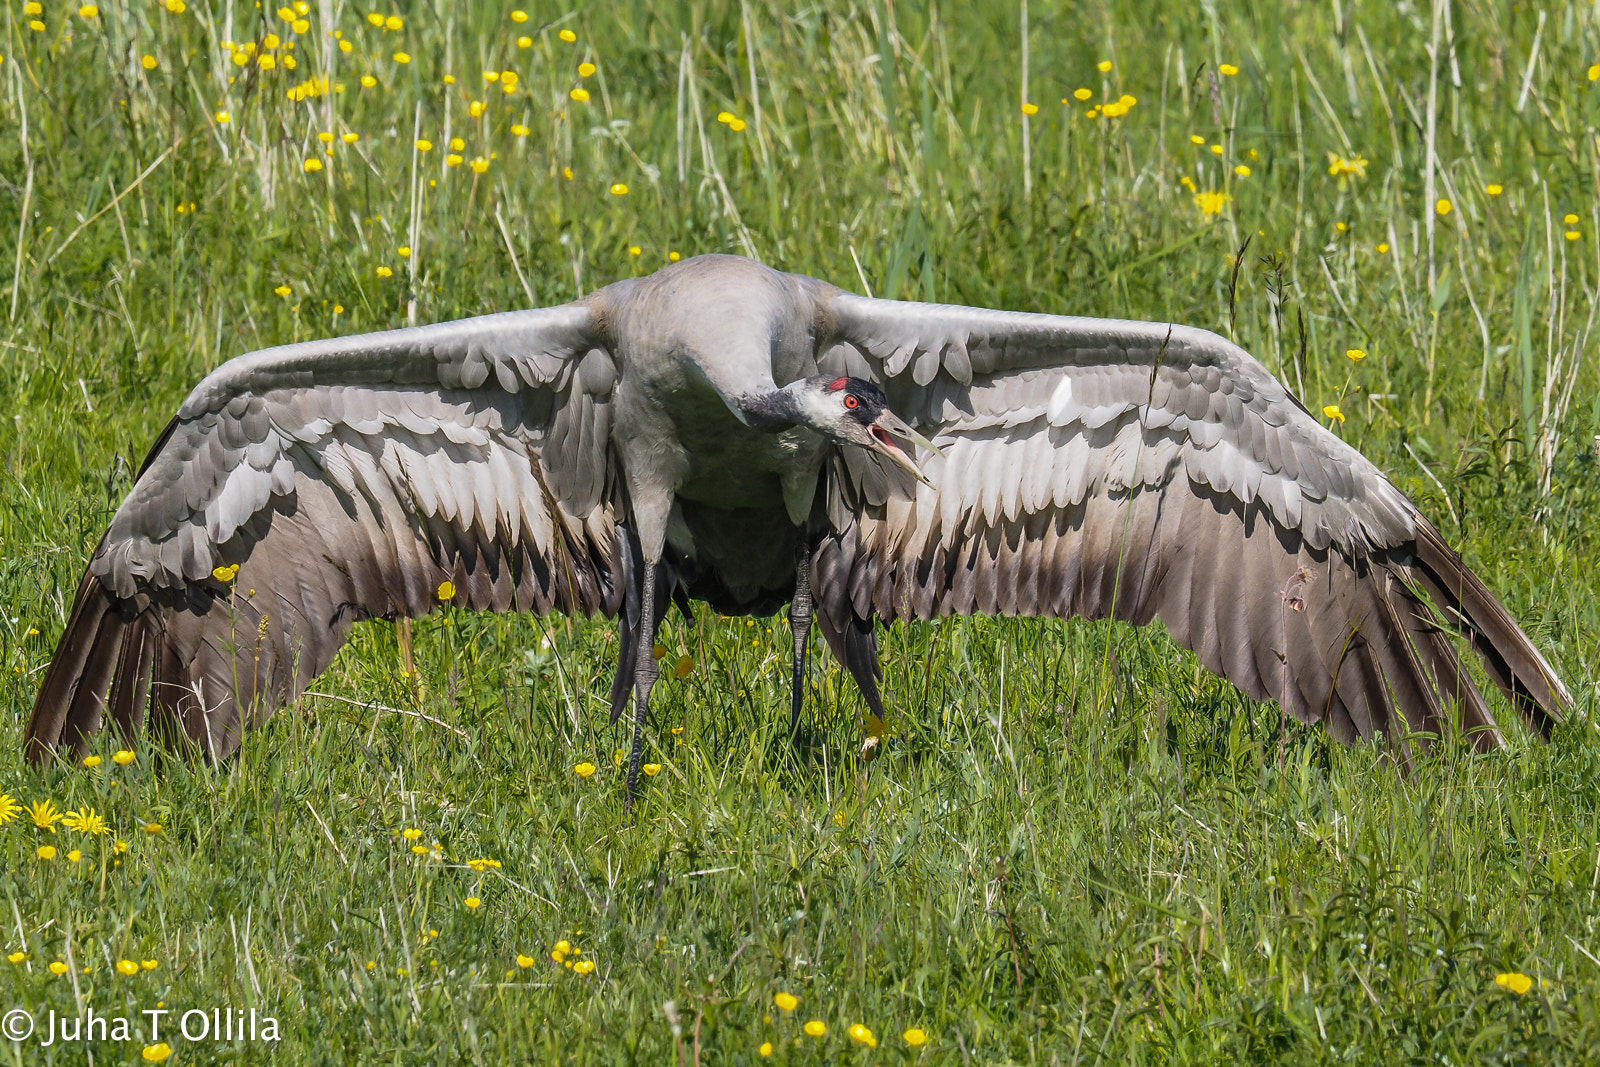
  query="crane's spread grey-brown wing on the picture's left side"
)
[{"x": 308, "y": 487}]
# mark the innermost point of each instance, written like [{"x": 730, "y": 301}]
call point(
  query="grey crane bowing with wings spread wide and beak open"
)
[{"x": 694, "y": 430}]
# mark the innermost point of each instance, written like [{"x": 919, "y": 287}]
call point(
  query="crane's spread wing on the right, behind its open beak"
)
[{"x": 1142, "y": 471}]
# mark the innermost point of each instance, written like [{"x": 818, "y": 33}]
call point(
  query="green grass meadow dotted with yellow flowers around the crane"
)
[{"x": 1078, "y": 847}]
